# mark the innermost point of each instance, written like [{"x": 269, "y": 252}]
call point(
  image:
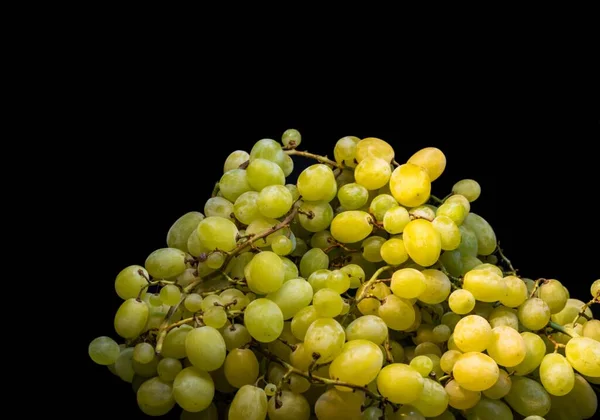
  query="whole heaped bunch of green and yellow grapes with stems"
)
[{"x": 352, "y": 294}]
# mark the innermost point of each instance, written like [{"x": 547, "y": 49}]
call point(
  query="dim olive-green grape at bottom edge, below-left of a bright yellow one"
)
[{"x": 528, "y": 397}]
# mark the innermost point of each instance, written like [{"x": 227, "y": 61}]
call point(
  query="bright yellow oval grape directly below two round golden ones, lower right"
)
[{"x": 475, "y": 371}]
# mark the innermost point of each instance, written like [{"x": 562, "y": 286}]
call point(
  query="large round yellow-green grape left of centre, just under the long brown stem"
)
[{"x": 265, "y": 272}]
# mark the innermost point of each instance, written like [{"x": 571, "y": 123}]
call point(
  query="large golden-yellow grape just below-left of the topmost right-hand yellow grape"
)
[{"x": 410, "y": 185}]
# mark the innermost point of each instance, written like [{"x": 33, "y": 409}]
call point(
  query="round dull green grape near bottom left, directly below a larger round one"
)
[{"x": 193, "y": 389}]
